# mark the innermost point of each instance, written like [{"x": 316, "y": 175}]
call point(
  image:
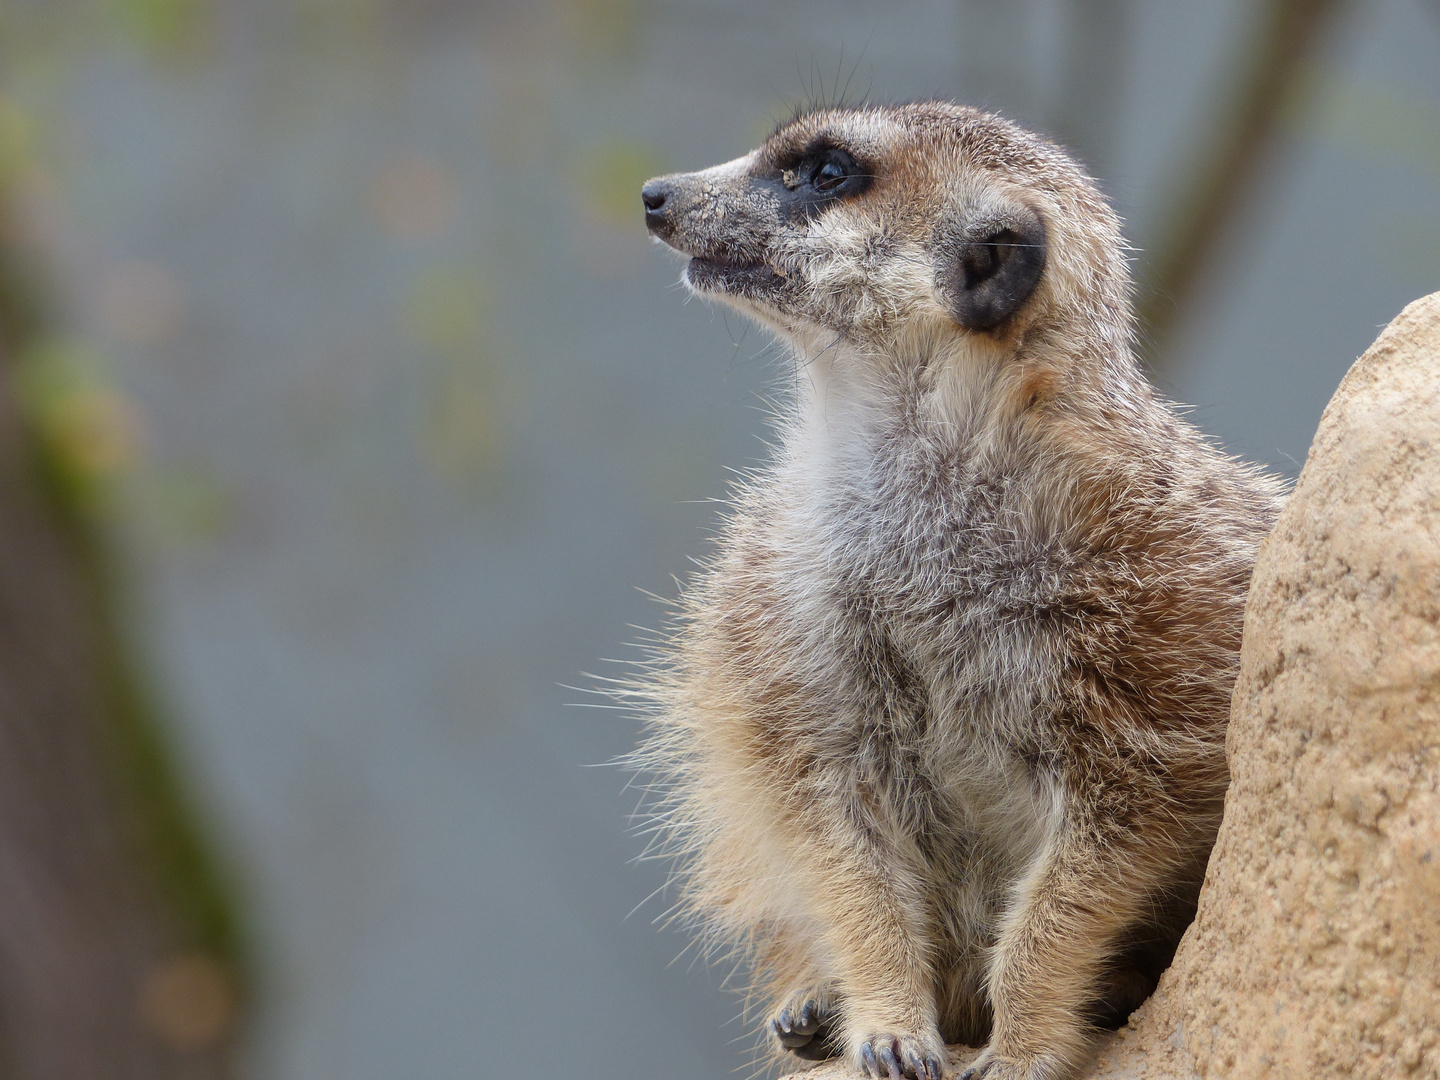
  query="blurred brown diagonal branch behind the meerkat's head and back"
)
[{"x": 1266, "y": 89}]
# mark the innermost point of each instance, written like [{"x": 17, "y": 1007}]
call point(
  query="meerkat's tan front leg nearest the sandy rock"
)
[{"x": 1050, "y": 963}]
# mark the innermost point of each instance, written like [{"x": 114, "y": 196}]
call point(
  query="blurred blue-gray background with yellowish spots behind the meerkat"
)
[{"x": 401, "y": 415}]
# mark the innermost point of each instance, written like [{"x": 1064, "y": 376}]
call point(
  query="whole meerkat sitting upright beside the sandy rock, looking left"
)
[{"x": 940, "y": 729}]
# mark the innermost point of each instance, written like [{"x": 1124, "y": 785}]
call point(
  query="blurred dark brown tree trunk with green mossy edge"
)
[{"x": 117, "y": 945}]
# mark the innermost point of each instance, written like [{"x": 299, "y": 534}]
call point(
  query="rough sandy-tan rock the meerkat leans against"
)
[{"x": 1317, "y": 948}]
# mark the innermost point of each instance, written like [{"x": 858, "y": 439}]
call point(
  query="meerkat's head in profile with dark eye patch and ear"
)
[{"x": 901, "y": 228}]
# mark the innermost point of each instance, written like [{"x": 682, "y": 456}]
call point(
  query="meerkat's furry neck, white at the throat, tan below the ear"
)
[{"x": 918, "y": 413}]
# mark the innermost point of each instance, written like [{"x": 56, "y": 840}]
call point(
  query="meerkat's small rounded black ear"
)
[{"x": 990, "y": 266}]
